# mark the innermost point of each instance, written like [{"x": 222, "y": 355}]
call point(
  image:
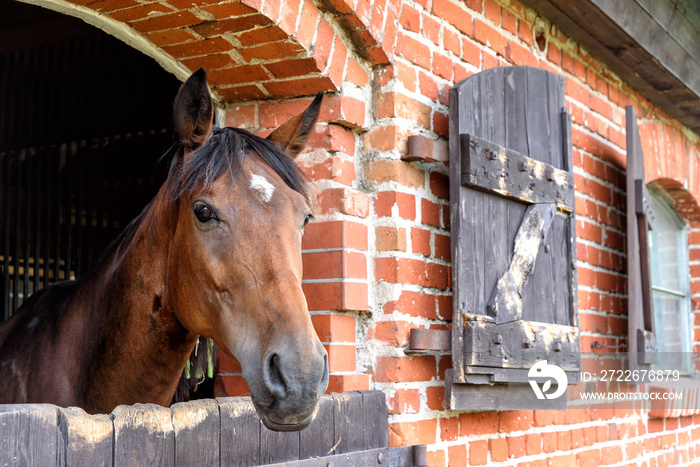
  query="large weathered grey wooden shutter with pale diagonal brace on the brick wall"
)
[{"x": 513, "y": 236}]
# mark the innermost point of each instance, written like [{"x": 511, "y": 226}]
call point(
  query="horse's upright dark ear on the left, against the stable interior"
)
[{"x": 193, "y": 111}]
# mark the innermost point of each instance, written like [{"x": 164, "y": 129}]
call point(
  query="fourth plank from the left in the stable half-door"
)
[{"x": 196, "y": 425}]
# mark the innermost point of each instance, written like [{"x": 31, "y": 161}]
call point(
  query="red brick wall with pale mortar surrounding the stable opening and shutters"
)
[{"x": 377, "y": 257}]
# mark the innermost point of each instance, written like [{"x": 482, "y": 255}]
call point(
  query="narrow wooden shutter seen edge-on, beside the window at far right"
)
[{"x": 642, "y": 341}]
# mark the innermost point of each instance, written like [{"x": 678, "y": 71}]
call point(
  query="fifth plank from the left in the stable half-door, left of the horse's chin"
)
[{"x": 240, "y": 432}]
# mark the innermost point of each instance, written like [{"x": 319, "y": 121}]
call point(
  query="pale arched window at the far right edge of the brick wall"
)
[{"x": 670, "y": 279}]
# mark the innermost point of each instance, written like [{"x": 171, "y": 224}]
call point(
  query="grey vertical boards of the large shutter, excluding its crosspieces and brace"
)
[{"x": 519, "y": 108}]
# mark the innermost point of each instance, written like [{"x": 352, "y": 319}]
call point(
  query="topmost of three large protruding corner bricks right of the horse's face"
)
[{"x": 335, "y": 234}]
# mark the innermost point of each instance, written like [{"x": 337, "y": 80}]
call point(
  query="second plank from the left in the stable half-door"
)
[{"x": 87, "y": 438}]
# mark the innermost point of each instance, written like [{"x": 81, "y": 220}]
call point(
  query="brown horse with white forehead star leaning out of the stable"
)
[{"x": 217, "y": 253}]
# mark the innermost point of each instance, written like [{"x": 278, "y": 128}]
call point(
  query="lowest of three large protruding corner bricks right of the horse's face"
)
[{"x": 332, "y": 296}]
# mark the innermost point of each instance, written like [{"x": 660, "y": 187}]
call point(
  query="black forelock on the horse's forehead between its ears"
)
[{"x": 222, "y": 155}]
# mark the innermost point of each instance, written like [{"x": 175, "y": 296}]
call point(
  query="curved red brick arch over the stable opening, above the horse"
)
[{"x": 253, "y": 49}]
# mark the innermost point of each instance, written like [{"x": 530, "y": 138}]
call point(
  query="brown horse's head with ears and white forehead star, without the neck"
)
[{"x": 234, "y": 272}]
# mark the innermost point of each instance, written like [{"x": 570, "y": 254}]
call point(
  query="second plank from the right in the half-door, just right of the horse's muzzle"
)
[{"x": 348, "y": 412}]
